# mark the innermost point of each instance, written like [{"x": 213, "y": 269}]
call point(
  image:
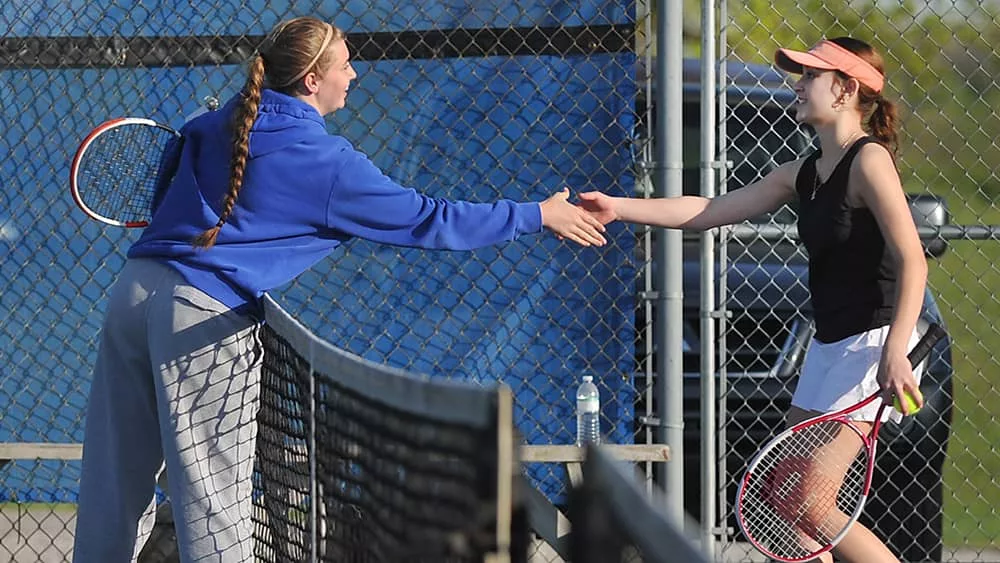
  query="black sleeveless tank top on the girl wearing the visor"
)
[{"x": 852, "y": 275}]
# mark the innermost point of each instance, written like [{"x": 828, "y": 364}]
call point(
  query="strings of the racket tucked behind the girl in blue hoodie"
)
[{"x": 119, "y": 173}]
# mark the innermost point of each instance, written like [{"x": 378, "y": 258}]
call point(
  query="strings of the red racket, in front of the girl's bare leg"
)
[{"x": 801, "y": 494}]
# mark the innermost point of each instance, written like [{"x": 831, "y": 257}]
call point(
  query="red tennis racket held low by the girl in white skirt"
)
[{"x": 806, "y": 487}]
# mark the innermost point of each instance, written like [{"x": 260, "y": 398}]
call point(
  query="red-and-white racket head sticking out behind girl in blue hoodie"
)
[{"x": 121, "y": 168}]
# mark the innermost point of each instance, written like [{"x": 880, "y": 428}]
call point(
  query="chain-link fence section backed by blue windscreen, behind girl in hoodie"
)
[{"x": 460, "y": 100}]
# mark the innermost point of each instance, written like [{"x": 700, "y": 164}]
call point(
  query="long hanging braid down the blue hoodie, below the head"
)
[{"x": 243, "y": 118}]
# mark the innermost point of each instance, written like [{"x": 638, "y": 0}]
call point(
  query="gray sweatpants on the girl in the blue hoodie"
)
[{"x": 176, "y": 383}]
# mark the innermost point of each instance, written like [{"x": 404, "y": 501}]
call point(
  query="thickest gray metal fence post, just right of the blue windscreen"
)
[{"x": 667, "y": 179}]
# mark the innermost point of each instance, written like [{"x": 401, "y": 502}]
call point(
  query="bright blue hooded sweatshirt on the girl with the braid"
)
[{"x": 304, "y": 193}]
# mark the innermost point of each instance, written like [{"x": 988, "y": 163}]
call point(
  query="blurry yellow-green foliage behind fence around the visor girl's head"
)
[{"x": 939, "y": 64}]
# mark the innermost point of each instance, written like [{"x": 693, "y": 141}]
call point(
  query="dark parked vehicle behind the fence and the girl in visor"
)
[{"x": 770, "y": 327}]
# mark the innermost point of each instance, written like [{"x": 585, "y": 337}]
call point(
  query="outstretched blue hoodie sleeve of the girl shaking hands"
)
[{"x": 366, "y": 203}]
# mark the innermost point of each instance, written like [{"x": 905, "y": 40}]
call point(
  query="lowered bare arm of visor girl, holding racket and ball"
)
[{"x": 878, "y": 186}]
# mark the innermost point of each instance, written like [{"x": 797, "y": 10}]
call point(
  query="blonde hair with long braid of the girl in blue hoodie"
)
[{"x": 292, "y": 49}]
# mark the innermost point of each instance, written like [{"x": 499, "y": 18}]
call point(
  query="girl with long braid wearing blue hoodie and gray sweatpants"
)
[{"x": 261, "y": 192}]
